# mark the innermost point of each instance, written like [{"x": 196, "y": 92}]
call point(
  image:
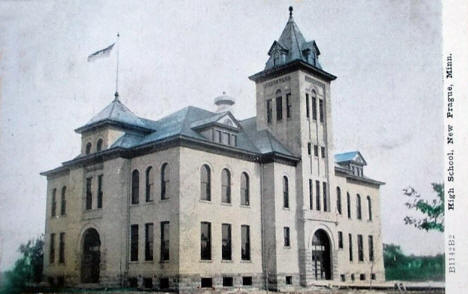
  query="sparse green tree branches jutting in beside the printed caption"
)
[{"x": 433, "y": 212}]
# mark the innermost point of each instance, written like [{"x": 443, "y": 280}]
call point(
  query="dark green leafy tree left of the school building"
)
[{"x": 27, "y": 269}]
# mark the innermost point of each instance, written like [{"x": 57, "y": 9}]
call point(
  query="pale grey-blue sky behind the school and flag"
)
[{"x": 386, "y": 101}]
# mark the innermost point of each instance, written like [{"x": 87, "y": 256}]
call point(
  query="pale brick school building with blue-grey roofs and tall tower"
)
[{"x": 199, "y": 199}]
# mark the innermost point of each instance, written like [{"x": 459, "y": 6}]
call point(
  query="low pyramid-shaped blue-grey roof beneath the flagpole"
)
[{"x": 116, "y": 113}]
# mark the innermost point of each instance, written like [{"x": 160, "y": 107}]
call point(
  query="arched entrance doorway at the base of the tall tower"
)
[{"x": 321, "y": 256}]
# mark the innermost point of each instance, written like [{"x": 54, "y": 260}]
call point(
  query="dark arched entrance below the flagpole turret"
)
[{"x": 91, "y": 257}]
